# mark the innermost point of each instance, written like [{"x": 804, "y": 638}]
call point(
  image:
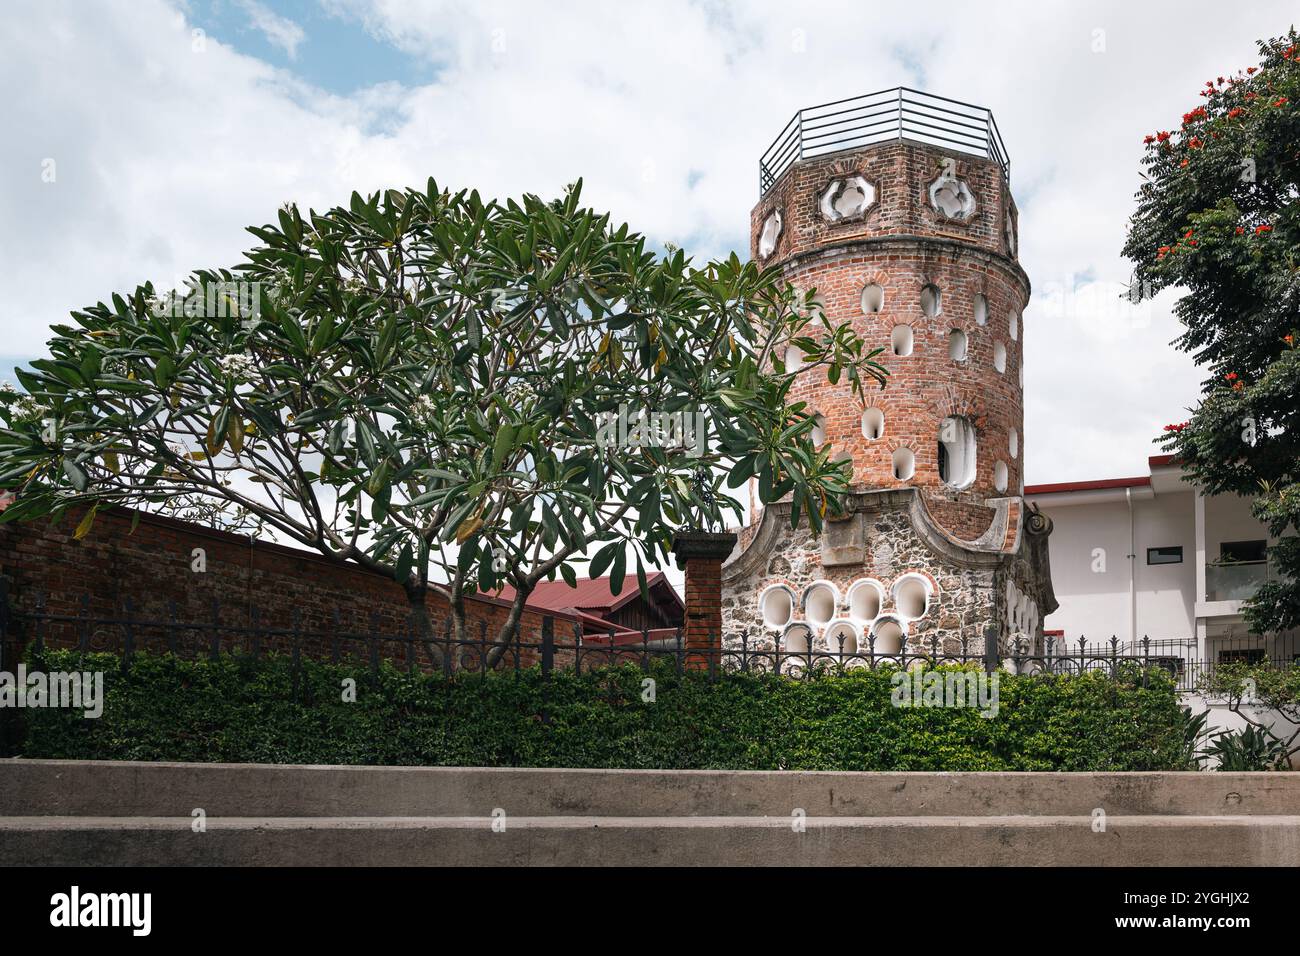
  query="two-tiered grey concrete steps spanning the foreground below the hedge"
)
[{"x": 88, "y": 814}]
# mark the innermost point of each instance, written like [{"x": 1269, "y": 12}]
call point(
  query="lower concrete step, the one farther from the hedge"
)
[{"x": 656, "y": 841}]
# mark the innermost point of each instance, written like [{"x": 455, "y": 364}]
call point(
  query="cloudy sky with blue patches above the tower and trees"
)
[{"x": 141, "y": 137}]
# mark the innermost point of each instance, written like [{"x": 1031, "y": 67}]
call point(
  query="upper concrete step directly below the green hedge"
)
[{"x": 253, "y": 790}]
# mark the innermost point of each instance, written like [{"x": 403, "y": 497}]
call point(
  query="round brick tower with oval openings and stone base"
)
[{"x": 894, "y": 211}]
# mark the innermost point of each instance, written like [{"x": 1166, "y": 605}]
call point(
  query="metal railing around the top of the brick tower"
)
[{"x": 899, "y": 114}]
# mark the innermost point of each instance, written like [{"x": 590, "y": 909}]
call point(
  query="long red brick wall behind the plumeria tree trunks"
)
[{"x": 244, "y": 582}]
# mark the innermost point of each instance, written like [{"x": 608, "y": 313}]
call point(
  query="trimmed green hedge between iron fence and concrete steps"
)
[{"x": 239, "y": 711}]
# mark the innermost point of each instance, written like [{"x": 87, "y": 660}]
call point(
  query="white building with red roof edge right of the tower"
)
[{"x": 1152, "y": 557}]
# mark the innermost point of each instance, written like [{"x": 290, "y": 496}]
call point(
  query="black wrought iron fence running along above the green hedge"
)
[{"x": 479, "y": 648}]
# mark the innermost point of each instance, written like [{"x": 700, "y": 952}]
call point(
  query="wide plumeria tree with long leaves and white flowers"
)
[{"x": 450, "y": 392}]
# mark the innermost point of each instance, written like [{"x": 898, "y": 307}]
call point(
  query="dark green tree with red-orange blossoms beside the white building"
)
[{"x": 1220, "y": 218}]
